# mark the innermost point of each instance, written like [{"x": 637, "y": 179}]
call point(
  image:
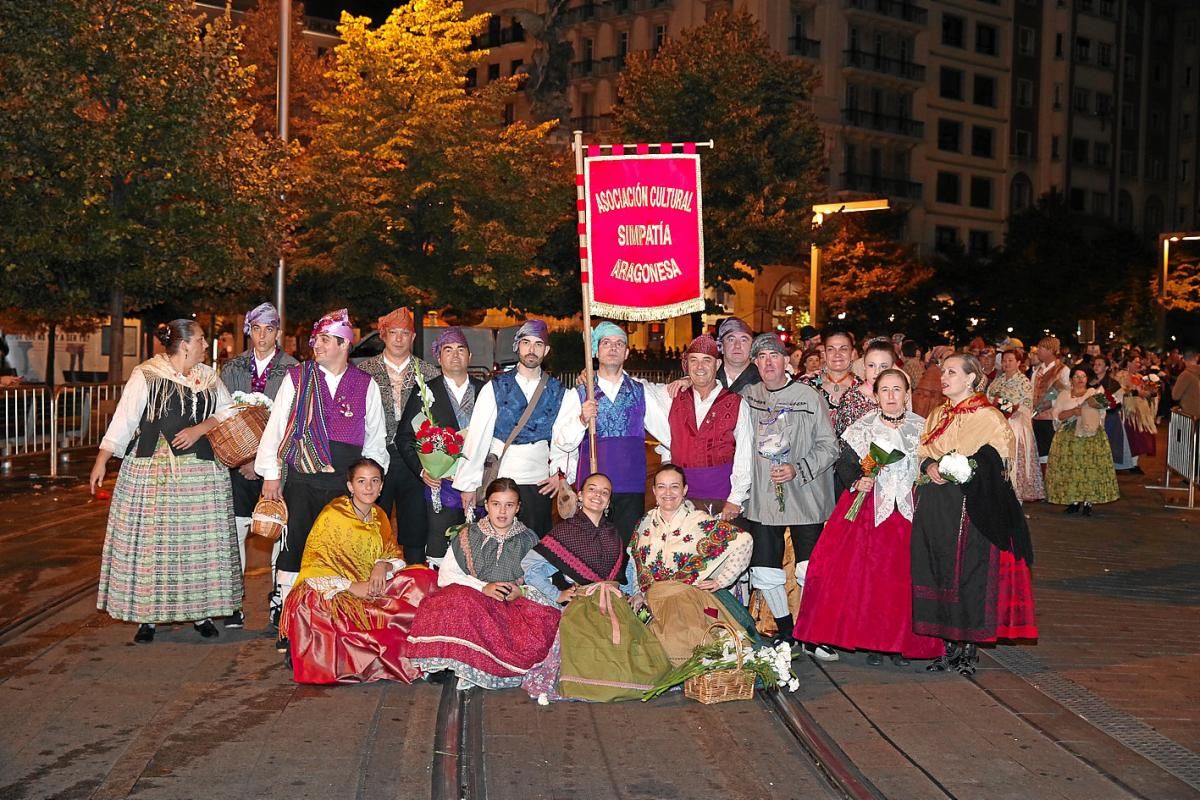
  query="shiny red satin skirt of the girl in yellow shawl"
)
[{"x": 328, "y": 648}]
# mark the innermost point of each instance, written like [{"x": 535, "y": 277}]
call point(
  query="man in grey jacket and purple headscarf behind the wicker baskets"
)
[{"x": 259, "y": 371}]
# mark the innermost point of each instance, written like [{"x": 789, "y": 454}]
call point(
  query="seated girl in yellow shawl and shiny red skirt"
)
[{"x": 349, "y": 617}]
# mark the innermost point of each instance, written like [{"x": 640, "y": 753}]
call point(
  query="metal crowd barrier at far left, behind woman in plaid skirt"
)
[{"x": 37, "y": 423}]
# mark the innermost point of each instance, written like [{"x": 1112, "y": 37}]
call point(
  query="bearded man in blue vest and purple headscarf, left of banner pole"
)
[{"x": 530, "y": 461}]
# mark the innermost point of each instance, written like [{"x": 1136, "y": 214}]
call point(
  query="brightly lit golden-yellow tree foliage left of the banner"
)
[{"x": 413, "y": 191}]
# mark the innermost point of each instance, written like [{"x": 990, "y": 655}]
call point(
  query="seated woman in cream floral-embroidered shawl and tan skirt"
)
[{"x": 683, "y": 557}]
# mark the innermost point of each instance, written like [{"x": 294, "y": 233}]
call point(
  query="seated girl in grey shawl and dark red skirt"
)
[{"x": 479, "y": 624}]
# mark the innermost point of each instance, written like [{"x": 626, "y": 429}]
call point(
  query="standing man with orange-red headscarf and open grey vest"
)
[{"x": 395, "y": 372}]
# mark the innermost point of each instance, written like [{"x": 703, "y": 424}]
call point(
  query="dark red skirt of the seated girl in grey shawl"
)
[{"x": 501, "y": 639}]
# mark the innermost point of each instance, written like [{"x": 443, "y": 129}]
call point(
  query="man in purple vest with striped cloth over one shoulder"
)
[{"x": 327, "y": 416}]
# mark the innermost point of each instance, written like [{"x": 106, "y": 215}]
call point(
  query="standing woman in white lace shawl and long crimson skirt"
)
[{"x": 859, "y": 590}]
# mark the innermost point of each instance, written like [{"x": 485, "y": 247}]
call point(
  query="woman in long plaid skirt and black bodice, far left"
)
[{"x": 171, "y": 552}]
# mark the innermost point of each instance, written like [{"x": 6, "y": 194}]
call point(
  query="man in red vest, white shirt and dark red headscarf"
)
[{"x": 712, "y": 438}]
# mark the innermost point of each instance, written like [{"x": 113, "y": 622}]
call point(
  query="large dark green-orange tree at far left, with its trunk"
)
[{"x": 130, "y": 171}]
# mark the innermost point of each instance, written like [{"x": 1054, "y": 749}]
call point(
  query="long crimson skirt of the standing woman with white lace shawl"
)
[{"x": 859, "y": 587}]
